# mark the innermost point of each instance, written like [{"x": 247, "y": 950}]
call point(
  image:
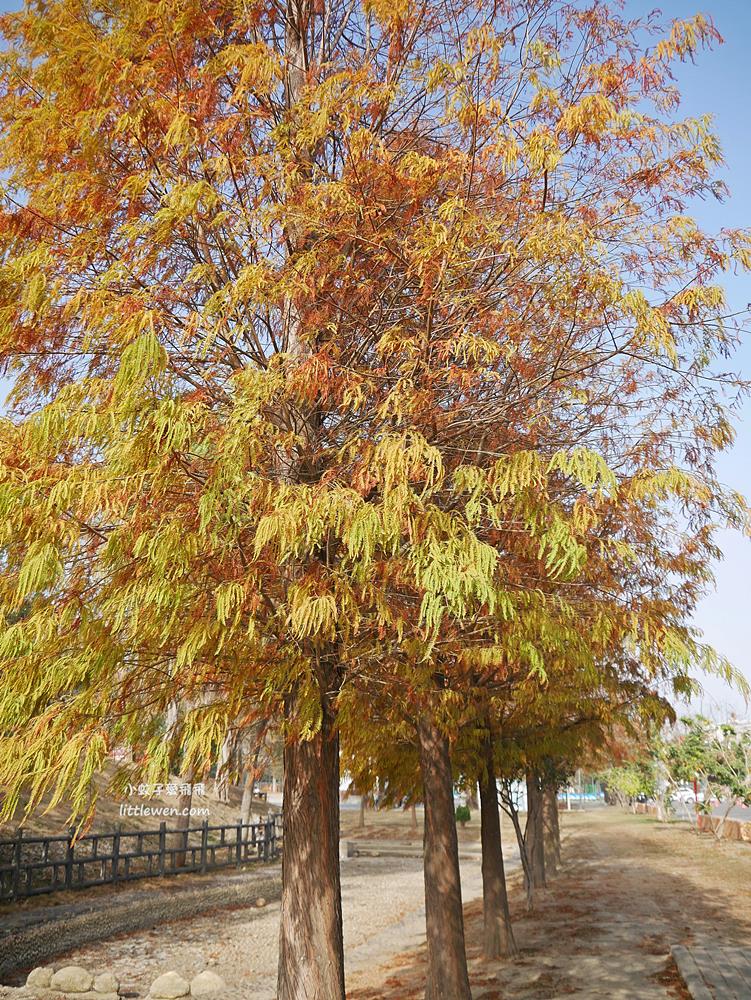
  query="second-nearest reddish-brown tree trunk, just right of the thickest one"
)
[{"x": 447, "y": 977}]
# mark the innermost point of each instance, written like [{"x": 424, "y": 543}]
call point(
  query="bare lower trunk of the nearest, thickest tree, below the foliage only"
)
[{"x": 311, "y": 951}]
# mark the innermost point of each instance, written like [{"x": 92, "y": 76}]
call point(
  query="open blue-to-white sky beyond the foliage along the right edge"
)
[{"x": 719, "y": 84}]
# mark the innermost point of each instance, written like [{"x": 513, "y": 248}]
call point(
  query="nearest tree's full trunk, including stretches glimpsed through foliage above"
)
[{"x": 311, "y": 950}]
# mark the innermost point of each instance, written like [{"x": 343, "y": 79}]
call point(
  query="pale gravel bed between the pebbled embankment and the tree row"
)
[{"x": 382, "y": 898}]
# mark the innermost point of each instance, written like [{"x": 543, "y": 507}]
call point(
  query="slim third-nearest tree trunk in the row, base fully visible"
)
[{"x": 498, "y": 936}]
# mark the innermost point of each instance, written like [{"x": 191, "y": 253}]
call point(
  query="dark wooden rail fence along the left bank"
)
[{"x": 30, "y": 866}]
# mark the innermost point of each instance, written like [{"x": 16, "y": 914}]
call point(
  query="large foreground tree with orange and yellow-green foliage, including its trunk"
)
[{"x": 361, "y": 361}]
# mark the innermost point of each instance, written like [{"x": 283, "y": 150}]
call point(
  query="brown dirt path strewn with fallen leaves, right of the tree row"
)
[{"x": 629, "y": 888}]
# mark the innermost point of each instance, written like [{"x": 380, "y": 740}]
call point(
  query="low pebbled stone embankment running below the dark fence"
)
[{"x": 28, "y": 948}]
